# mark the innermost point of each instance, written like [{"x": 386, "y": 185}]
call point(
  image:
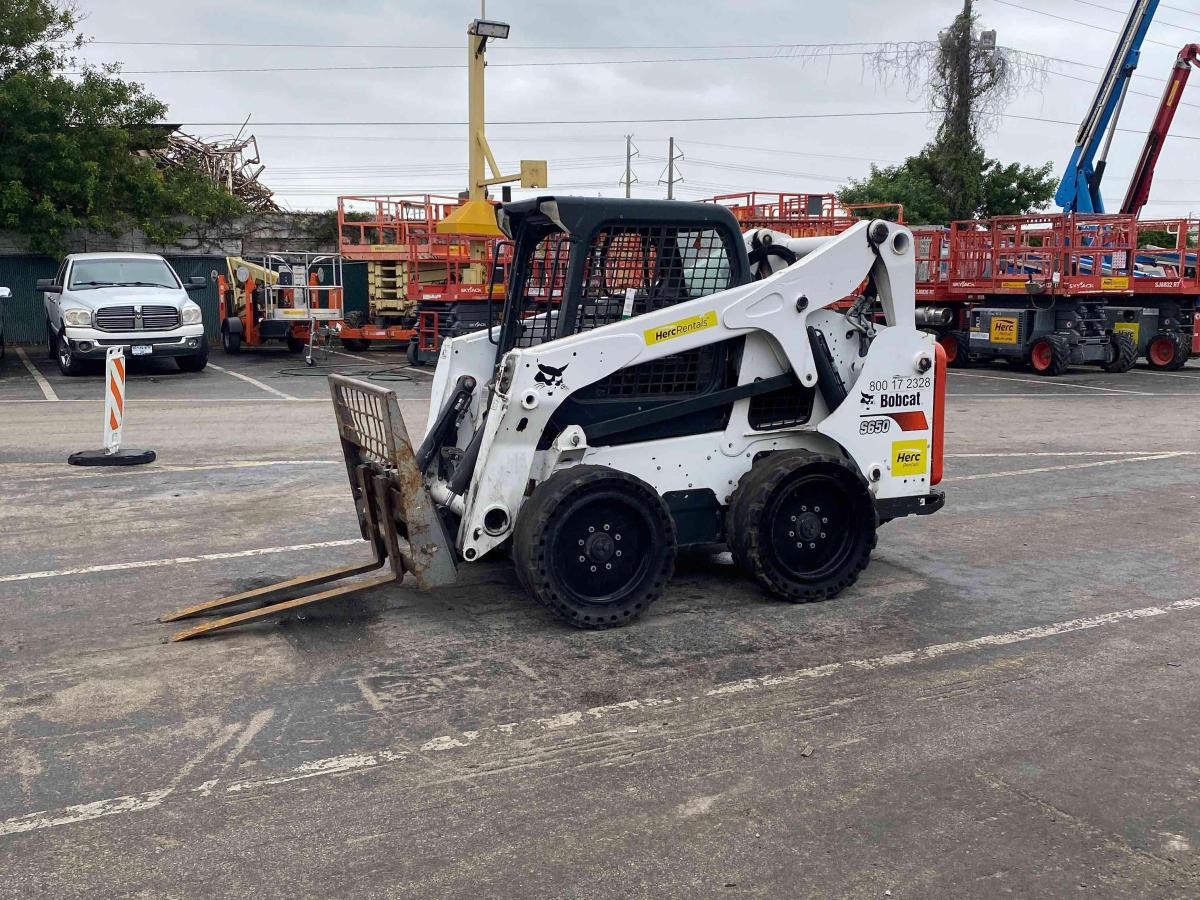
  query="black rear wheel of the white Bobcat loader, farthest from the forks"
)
[{"x": 803, "y": 525}]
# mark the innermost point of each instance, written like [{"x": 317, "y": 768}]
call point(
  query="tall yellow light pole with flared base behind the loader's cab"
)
[{"x": 477, "y": 217}]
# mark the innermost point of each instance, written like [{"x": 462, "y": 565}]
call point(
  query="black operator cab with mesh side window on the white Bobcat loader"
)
[{"x": 581, "y": 263}]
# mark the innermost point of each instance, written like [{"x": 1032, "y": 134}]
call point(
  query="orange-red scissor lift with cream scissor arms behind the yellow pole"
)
[{"x": 423, "y": 286}]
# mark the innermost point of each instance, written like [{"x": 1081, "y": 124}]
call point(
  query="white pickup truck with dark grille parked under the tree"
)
[{"x": 131, "y": 301}]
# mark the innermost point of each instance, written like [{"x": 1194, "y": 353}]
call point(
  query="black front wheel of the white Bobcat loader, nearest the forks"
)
[{"x": 547, "y": 533}]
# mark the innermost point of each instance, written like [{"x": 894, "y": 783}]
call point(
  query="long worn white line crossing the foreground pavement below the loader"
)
[{"x": 568, "y": 723}]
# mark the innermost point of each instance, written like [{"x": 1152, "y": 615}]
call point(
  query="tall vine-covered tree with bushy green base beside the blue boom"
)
[{"x": 952, "y": 178}]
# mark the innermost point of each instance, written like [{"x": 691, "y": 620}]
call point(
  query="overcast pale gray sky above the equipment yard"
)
[{"x": 401, "y": 63}]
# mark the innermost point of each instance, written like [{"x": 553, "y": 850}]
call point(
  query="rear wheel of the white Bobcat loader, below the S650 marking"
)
[{"x": 760, "y": 497}]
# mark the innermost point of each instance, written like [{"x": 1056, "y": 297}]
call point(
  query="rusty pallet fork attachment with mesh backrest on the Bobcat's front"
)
[{"x": 397, "y": 515}]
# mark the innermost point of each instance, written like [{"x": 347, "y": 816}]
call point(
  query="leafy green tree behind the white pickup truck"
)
[{"x": 69, "y": 143}]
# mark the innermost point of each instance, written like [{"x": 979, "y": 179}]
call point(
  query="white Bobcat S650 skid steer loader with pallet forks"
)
[{"x": 655, "y": 381}]
